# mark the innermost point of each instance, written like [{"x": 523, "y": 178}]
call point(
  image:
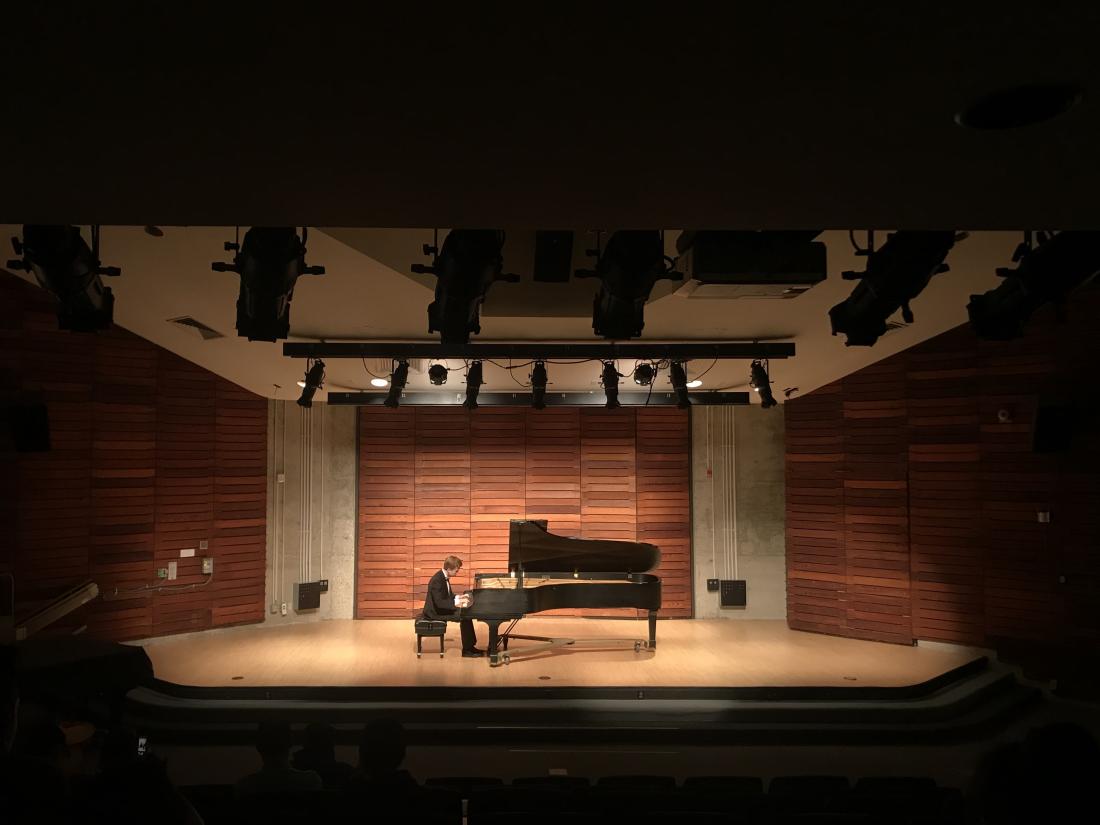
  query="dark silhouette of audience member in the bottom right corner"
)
[{"x": 1049, "y": 777}]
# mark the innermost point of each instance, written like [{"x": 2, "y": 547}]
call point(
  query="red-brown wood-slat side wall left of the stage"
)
[{"x": 151, "y": 454}]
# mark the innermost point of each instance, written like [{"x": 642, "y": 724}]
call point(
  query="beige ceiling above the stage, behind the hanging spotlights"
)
[{"x": 360, "y": 299}]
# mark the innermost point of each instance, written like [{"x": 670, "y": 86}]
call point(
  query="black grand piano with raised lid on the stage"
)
[{"x": 547, "y": 573}]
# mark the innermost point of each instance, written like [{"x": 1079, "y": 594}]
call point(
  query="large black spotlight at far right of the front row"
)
[{"x": 1048, "y": 272}]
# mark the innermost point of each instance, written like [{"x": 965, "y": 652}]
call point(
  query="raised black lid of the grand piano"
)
[{"x": 538, "y": 552}]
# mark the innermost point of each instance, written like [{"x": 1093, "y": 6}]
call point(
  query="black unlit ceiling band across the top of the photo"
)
[{"x": 760, "y": 116}]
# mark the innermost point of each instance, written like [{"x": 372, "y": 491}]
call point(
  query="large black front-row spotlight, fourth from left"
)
[{"x": 629, "y": 268}]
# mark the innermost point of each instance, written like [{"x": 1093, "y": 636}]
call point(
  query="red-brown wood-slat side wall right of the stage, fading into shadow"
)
[{"x": 912, "y": 508}]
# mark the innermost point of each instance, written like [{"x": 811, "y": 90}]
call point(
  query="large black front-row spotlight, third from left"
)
[{"x": 469, "y": 265}]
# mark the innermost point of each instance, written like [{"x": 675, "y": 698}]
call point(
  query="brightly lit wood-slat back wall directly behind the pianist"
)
[{"x": 443, "y": 480}]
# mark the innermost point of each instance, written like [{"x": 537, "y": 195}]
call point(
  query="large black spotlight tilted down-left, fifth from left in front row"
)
[{"x": 896, "y": 274}]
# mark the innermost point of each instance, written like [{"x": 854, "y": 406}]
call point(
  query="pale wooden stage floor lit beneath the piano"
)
[{"x": 691, "y": 654}]
